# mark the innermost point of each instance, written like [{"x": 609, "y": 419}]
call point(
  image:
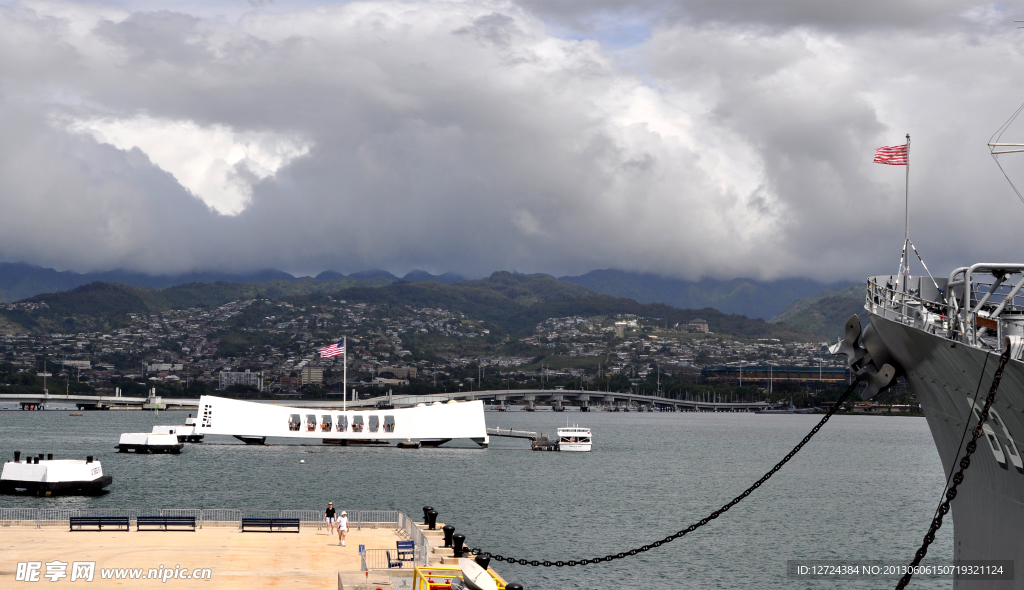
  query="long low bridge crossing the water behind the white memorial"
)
[{"x": 530, "y": 399}]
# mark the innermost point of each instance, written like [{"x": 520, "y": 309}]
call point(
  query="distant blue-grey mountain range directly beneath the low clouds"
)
[{"x": 805, "y": 305}]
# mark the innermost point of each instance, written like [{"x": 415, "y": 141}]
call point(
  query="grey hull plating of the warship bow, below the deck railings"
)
[{"x": 989, "y": 511}]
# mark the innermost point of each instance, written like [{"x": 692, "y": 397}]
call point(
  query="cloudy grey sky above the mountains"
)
[{"x": 715, "y": 139}]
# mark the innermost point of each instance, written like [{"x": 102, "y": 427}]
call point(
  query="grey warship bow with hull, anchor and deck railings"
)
[{"x": 946, "y": 336}]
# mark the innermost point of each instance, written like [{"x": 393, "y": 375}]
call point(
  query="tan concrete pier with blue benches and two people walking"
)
[{"x": 310, "y": 560}]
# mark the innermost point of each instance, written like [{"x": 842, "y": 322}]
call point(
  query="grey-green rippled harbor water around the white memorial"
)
[{"x": 864, "y": 489}]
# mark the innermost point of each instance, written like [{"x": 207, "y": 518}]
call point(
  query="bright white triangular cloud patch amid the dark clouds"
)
[{"x": 215, "y": 163}]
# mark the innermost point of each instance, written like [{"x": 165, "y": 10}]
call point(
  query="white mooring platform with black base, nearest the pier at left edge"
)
[{"x": 54, "y": 477}]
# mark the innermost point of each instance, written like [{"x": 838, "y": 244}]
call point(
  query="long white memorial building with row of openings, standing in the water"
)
[{"x": 432, "y": 425}]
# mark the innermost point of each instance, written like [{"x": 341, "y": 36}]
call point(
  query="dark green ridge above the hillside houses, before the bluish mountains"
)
[{"x": 515, "y": 303}]
